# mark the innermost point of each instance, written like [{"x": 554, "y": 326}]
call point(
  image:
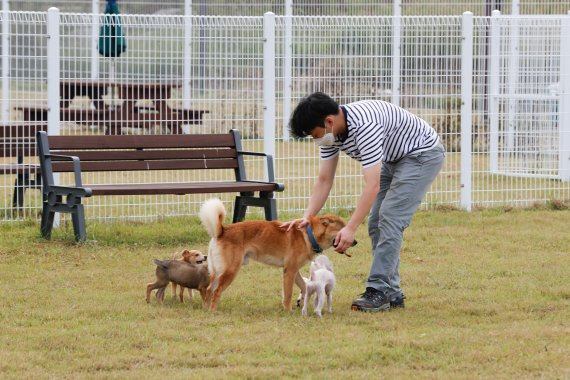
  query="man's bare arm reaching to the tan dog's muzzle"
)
[{"x": 345, "y": 237}]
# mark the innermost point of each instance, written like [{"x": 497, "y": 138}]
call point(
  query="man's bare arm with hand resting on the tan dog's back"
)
[{"x": 321, "y": 192}]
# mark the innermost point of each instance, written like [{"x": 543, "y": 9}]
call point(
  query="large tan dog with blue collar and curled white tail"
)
[{"x": 263, "y": 241}]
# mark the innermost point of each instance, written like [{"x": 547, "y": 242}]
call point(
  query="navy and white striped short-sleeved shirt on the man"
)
[{"x": 379, "y": 131}]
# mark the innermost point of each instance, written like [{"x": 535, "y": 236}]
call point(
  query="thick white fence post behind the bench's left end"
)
[{"x": 53, "y": 59}]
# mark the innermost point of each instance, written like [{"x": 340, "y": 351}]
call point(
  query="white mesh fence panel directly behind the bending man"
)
[{"x": 351, "y": 60}]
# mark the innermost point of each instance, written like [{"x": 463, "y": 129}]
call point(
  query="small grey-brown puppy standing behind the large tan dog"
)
[{"x": 188, "y": 275}]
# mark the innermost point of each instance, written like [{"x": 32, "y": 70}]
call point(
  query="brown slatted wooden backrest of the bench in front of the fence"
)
[{"x": 146, "y": 152}]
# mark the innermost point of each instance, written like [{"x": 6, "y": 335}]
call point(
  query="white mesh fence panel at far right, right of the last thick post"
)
[{"x": 519, "y": 133}]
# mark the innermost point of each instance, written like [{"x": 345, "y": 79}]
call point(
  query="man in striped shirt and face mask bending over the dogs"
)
[{"x": 400, "y": 155}]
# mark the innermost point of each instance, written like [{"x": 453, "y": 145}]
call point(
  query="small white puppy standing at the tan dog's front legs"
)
[{"x": 321, "y": 284}]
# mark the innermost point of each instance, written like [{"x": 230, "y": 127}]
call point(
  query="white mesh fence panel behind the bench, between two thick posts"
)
[{"x": 222, "y": 70}]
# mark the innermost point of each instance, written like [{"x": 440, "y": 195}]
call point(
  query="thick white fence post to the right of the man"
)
[{"x": 466, "y": 107}]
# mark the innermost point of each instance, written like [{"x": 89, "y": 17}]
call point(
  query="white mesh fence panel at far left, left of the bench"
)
[{"x": 23, "y": 83}]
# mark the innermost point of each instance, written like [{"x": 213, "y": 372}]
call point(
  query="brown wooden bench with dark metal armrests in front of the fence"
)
[{"x": 79, "y": 154}]
